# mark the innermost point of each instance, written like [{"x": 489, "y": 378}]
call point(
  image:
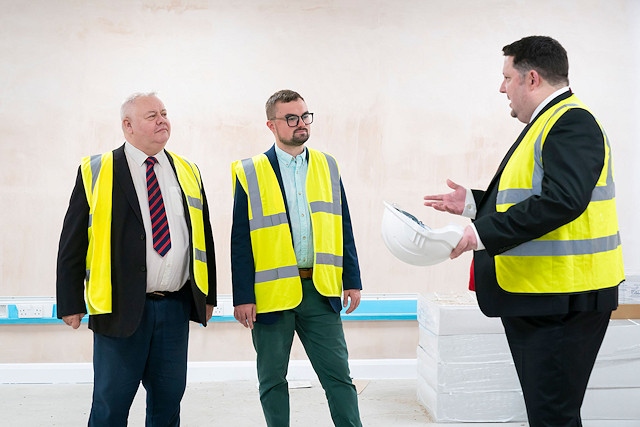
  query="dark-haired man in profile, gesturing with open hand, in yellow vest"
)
[{"x": 547, "y": 254}]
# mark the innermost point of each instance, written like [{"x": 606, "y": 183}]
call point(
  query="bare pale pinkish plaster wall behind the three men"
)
[{"x": 405, "y": 94}]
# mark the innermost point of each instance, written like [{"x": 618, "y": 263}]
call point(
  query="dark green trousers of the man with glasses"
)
[{"x": 320, "y": 330}]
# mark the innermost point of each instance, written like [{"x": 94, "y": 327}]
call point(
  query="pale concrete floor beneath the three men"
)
[{"x": 383, "y": 403}]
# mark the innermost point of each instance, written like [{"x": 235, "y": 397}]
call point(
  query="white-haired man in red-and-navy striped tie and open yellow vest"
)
[{"x": 137, "y": 230}]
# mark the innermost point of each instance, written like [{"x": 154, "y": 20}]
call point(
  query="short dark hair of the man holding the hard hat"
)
[{"x": 543, "y": 54}]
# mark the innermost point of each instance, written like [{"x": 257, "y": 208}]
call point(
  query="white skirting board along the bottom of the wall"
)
[{"x": 73, "y": 373}]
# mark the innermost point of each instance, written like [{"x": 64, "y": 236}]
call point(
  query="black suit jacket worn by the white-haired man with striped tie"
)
[{"x": 128, "y": 257}]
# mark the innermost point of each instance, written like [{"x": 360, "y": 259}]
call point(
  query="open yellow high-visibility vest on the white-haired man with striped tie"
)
[{"x": 97, "y": 177}]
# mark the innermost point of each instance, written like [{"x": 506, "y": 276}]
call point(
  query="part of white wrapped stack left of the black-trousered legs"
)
[{"x": 465, "y": 371}]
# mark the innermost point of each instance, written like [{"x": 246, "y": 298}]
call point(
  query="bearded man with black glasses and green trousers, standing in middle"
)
[{"x": 293, "y": 262}]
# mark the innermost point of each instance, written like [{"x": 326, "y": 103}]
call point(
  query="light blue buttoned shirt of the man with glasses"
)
[{"x": 294, "y": 178}]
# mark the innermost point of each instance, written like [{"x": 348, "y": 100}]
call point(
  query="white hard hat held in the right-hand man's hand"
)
[{"x": 413, "y": 242}]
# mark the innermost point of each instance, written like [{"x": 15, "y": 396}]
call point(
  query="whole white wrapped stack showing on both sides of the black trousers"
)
[{"x": 466, "y": 373}]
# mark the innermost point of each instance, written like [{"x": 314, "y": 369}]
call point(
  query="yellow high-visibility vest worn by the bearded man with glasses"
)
[{"x": 277, "y": 279}]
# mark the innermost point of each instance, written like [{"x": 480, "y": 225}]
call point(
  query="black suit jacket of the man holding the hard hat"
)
[{"x": 573, "y": 157}]
